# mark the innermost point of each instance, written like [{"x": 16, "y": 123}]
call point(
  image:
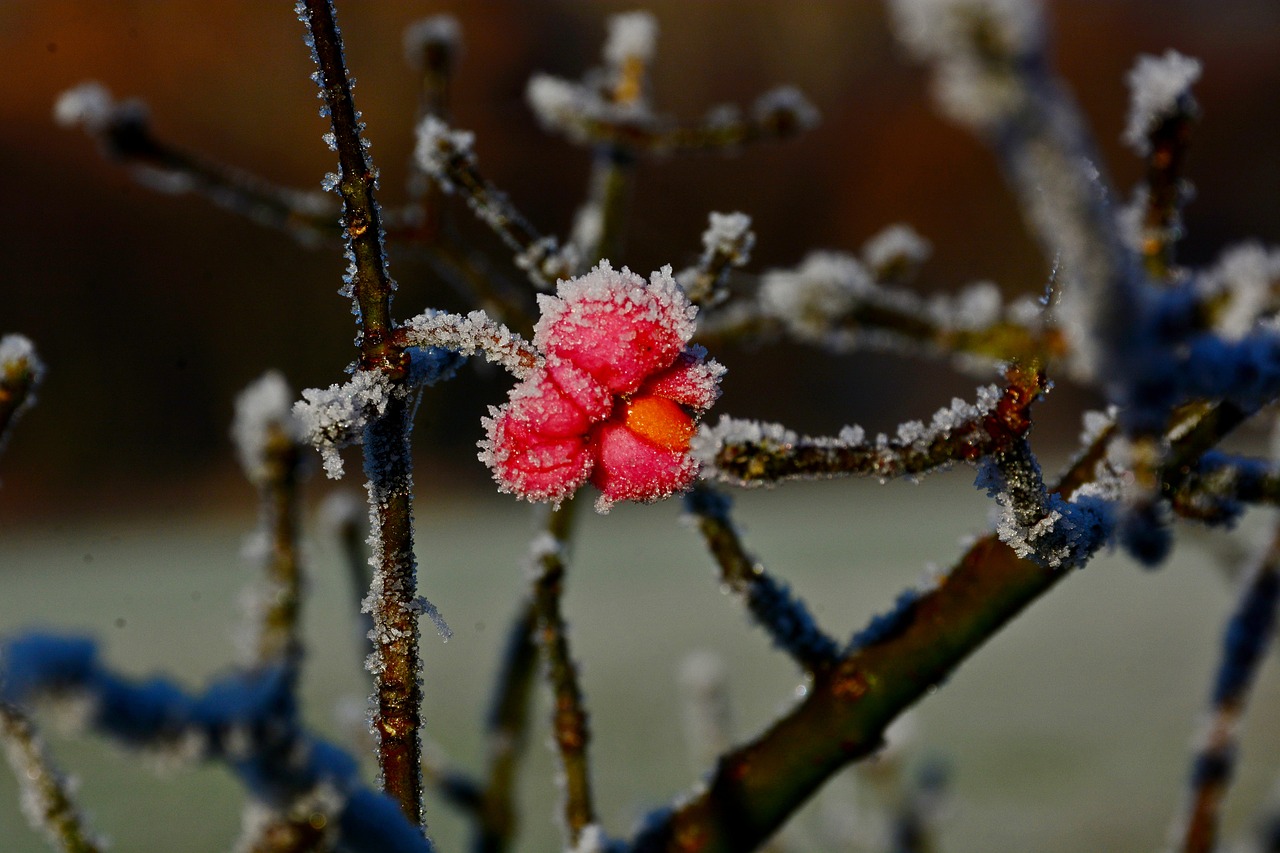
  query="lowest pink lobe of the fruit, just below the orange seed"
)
[{"x": 629, "y": 468}]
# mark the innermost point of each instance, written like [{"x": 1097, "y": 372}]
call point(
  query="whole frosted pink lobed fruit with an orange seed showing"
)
[{"x": 616, "y": 400}]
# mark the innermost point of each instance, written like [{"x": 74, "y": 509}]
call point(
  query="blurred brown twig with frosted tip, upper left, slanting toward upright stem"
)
[{"x": 125, "y": 131}]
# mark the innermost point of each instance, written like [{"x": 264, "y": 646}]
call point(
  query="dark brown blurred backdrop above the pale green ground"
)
[{"x": 153, "y": 312}]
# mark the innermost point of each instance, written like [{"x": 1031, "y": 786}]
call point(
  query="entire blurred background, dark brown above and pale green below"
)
[{"x": 122, "y": 508}]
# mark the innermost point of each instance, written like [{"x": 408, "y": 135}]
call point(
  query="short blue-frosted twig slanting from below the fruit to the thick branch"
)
[{"x": 784, "y": 617}]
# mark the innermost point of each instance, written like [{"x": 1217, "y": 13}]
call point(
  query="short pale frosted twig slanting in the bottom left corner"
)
[{"x": 47, "y": 795}]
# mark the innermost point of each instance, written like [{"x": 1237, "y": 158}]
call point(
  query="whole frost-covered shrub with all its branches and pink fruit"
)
[{"x": 614, "y": 376}]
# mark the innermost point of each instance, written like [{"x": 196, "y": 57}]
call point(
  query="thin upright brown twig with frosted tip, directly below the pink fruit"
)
[{"x": 570, "y": 731}]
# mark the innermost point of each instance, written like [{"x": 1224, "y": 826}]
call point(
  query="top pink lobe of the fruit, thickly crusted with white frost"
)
[{"x": 615, "y": 326}]
